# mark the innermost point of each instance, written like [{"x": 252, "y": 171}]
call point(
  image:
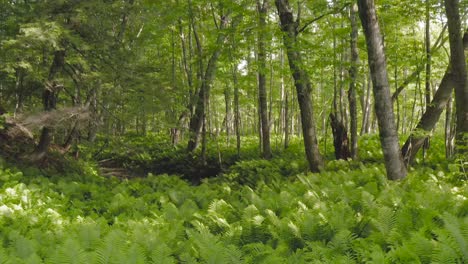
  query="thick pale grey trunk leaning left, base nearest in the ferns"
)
[{"x": 383, "y": 102}]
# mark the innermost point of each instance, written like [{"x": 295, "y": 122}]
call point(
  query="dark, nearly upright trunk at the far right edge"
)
[{"x": 458, "y": 64}]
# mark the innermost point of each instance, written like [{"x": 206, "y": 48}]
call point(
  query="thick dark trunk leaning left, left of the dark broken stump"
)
[{"x": 302, "y": 83}]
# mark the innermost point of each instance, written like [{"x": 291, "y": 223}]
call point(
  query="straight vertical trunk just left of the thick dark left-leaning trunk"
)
[{"x": 262, "y": 8}]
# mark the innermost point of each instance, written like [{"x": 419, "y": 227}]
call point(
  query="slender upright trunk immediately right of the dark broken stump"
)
[{"x": 353, "y": 71}]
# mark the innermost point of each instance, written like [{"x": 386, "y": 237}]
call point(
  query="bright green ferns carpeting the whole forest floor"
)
[{"x": 254, "y": 211}]
